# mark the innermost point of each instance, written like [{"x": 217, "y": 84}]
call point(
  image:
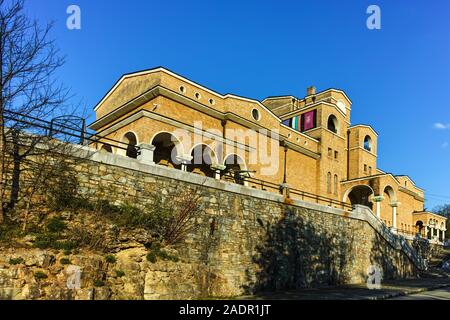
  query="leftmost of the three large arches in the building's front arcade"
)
[{"x": 167, "y": 148}]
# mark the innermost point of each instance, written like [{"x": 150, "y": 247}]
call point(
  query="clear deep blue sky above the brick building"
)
[{"x": 398, "y": 77}]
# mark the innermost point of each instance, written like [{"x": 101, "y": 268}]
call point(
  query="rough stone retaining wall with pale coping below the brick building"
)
[{"x": 248, "y": 240}]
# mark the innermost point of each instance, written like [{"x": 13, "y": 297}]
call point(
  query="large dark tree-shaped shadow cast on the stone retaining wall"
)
[{"x": 298, "y": 254}]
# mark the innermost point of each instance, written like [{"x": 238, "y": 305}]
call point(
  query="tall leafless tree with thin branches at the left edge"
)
[{"x": 29, "y": 93}]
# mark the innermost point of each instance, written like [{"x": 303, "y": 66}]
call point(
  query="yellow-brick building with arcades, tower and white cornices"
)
[{"x": 311, "y": 150}]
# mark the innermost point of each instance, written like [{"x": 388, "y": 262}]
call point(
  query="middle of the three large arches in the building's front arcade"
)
[{"x": 202, "y": 159}]
